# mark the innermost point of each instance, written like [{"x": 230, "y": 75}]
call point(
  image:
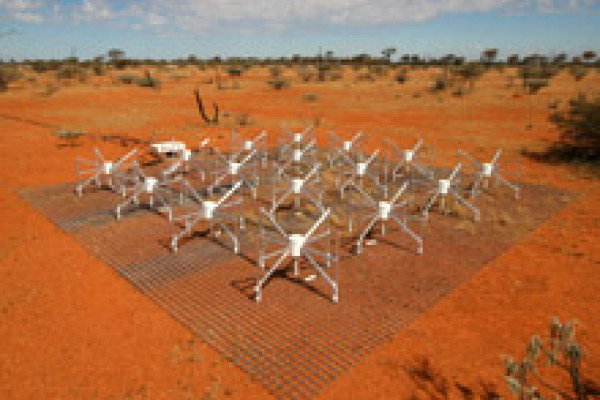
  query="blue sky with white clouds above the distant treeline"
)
[{"x": 178, "y": 28}]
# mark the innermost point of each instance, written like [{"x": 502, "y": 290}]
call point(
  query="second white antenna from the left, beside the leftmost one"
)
[{"x": 152, "y": 188}]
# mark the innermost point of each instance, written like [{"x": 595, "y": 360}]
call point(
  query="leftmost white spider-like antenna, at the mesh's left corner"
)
[{"x": 101, "y": 172}]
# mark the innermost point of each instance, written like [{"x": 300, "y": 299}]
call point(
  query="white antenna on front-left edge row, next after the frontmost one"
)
[{"x": 211, "y": 211}]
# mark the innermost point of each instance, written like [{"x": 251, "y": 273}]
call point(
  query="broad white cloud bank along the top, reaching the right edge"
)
[{"x": 202, "y": 14}]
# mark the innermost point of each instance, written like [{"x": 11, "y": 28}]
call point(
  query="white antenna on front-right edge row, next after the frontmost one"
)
[{"x": 384, "y": 211}]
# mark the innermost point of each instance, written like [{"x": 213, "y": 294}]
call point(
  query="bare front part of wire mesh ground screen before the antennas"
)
[{"x": 296, "y": 341}]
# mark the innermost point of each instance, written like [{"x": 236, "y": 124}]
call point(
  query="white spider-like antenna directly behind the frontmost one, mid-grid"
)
[{"x": 297, "y": 187}]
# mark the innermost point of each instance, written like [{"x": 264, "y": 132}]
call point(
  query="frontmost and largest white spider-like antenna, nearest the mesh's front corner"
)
[{"x": 298, "y": 247}]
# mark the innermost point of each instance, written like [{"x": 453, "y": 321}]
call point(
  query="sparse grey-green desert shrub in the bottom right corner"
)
[{"x": 559, "y": 350}]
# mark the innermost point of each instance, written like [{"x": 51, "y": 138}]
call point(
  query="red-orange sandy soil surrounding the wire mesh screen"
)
[{"x": 72, "y": 329}]
